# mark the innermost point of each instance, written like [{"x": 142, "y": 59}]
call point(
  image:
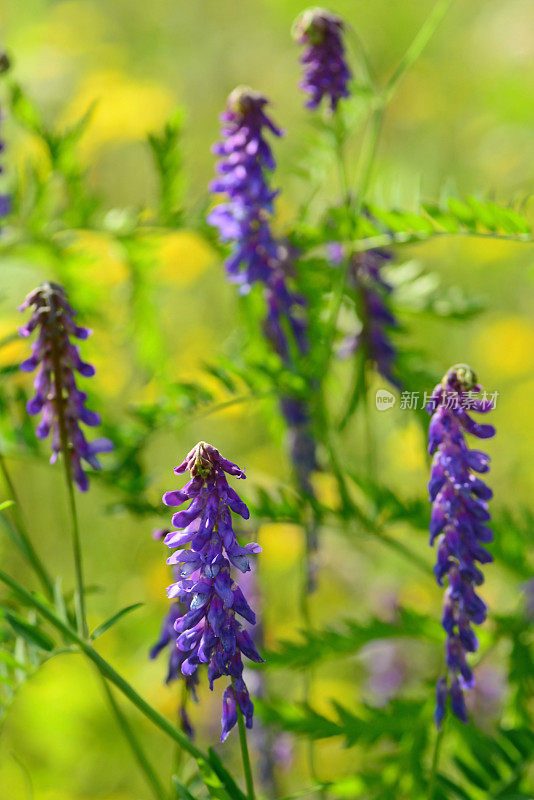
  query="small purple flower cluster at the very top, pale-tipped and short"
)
[{"x": 326, "y": 73}]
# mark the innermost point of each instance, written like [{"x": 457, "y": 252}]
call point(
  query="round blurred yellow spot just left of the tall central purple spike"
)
[{"x": 183, "y": 256}]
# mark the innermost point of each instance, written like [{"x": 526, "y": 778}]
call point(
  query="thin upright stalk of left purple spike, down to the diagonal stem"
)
[{"x": 75, "y": 529}]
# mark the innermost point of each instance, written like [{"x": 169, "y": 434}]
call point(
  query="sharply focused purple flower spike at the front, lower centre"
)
[{"x": 208, "y": 631}]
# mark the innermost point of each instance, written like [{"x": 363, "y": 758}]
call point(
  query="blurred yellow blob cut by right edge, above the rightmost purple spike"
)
[{"x": 505, "y": 347}]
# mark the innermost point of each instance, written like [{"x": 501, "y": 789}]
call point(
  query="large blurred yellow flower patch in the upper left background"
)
[{"x": 124, "y": 109}]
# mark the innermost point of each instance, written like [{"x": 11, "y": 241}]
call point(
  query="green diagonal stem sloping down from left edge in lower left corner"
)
[{"x": 105, "y": 668}]
